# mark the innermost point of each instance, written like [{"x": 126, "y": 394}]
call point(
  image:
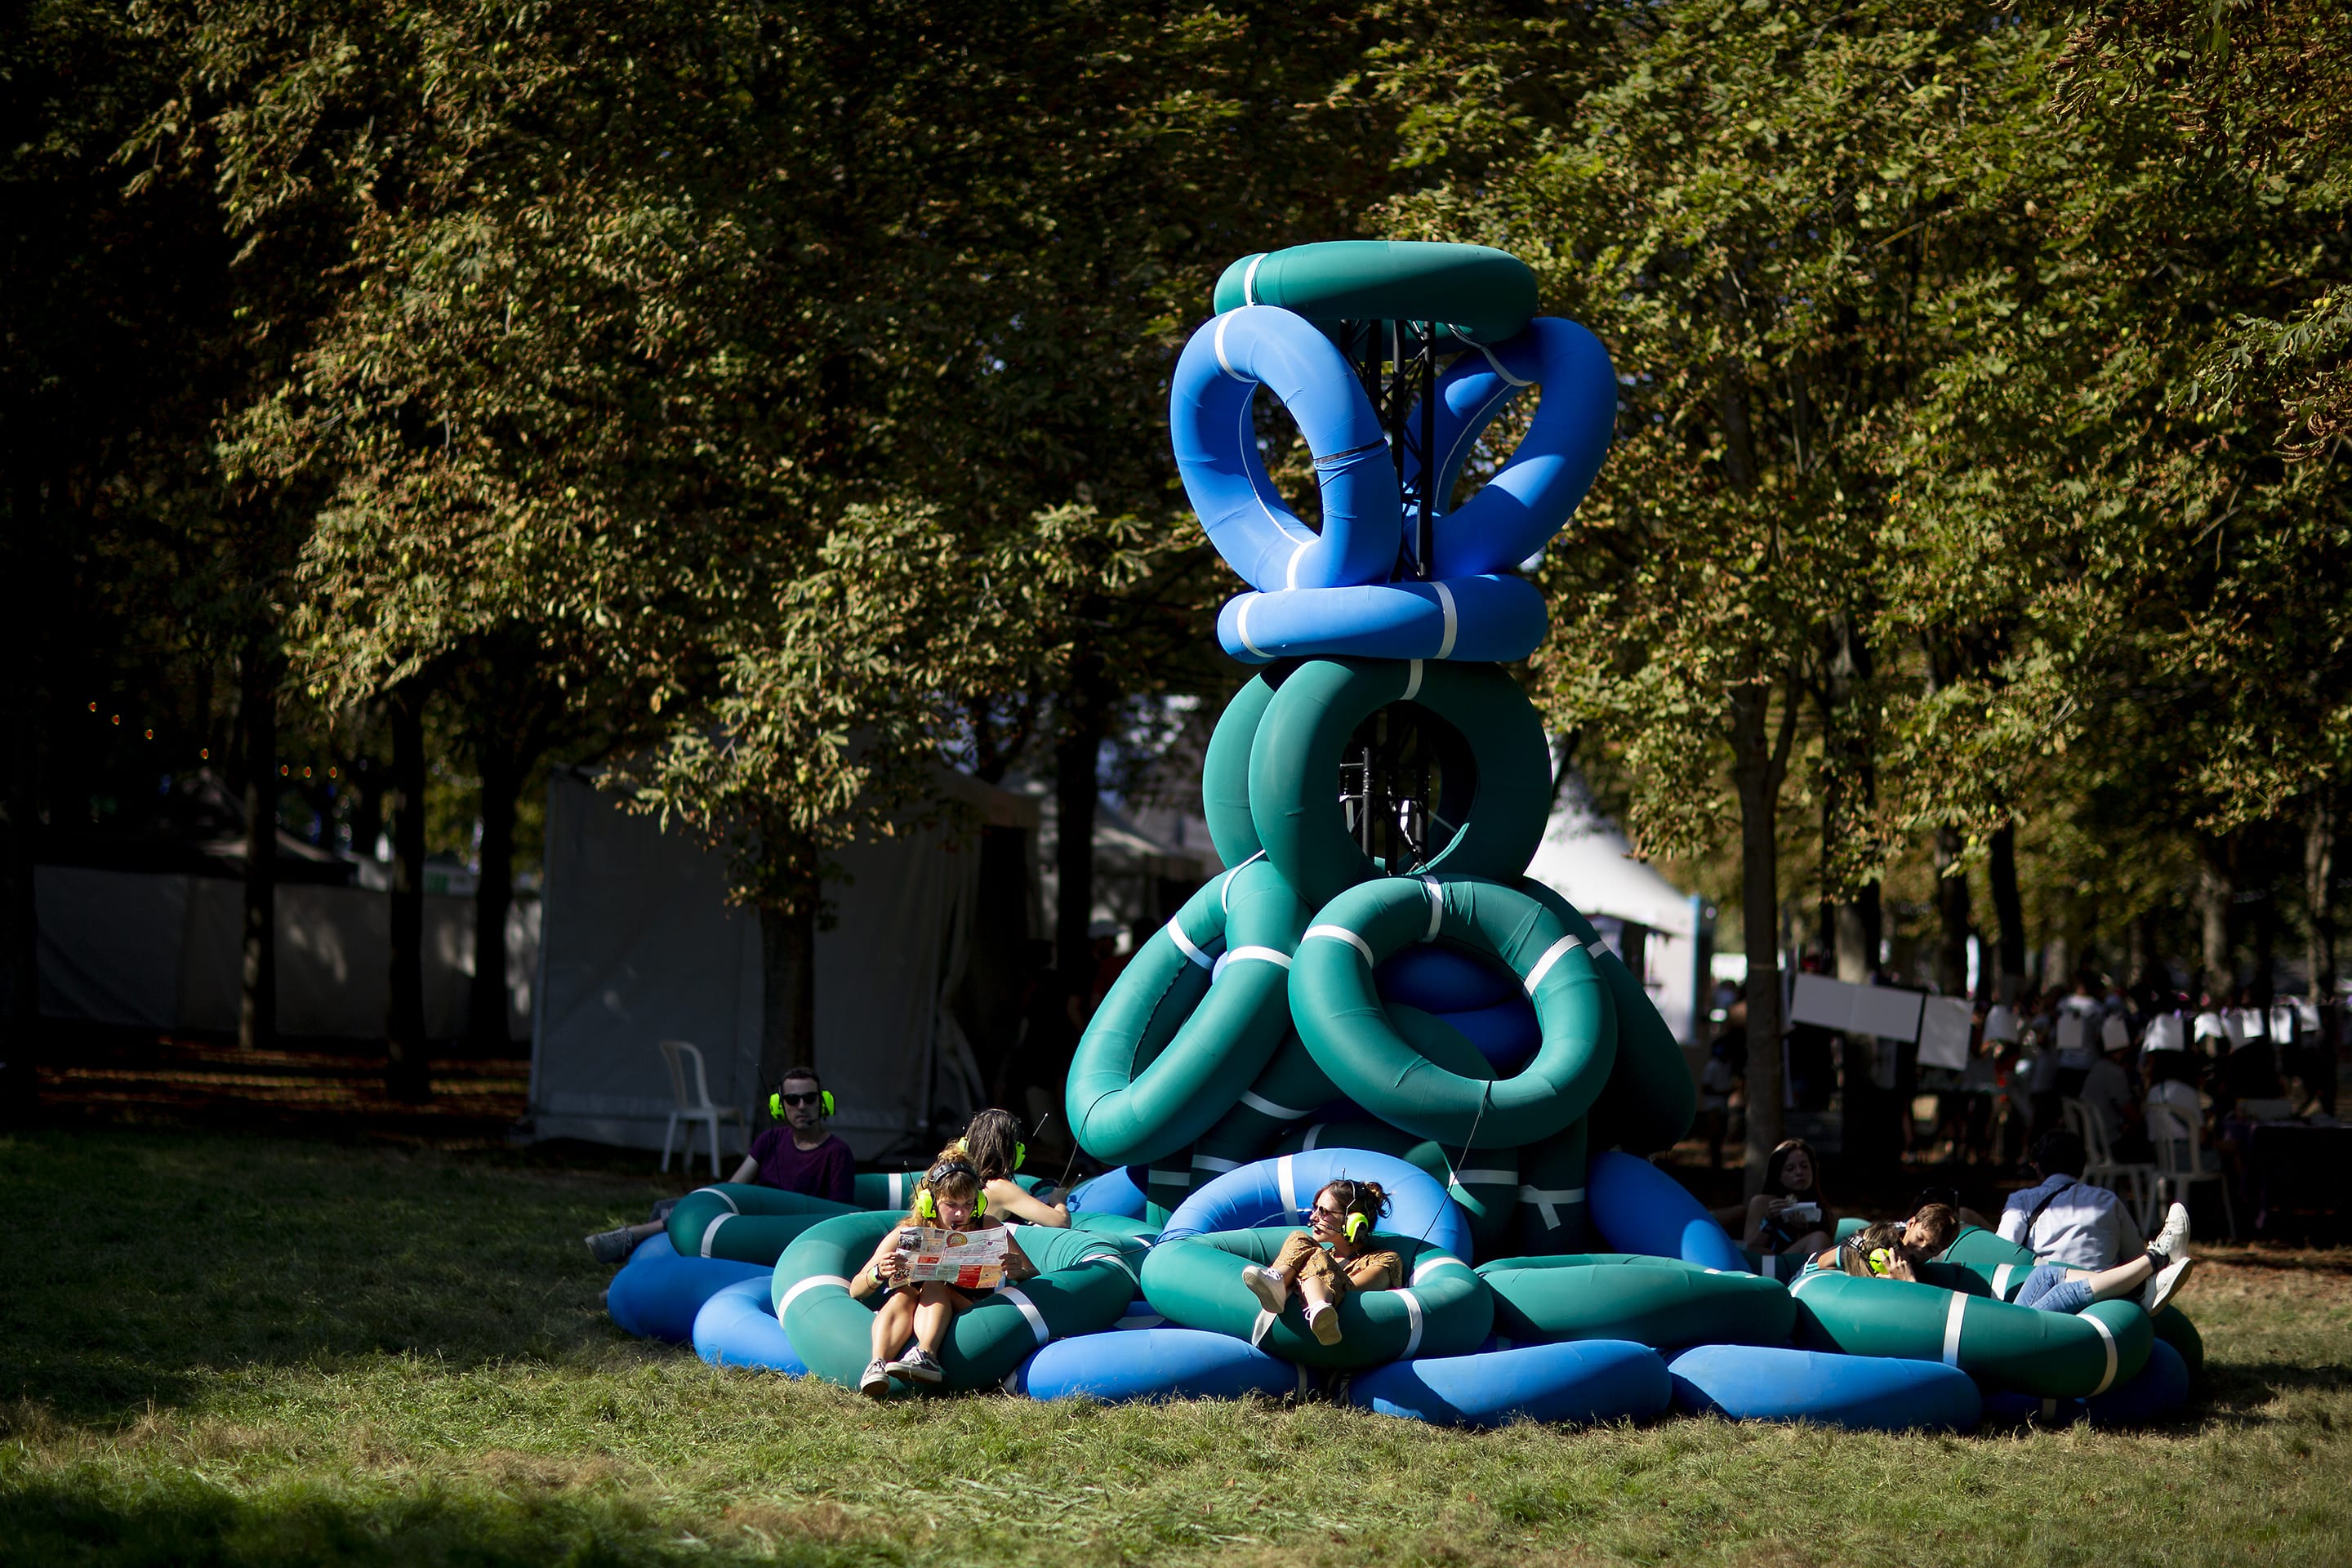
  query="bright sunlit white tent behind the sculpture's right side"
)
[{"x": 1589, "y": 862}]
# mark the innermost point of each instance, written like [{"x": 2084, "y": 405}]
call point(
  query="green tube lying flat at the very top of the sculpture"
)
[{"x": 1471, "y": 293}]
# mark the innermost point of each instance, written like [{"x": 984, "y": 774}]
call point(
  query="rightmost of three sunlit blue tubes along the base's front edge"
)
[{"x": 1808, "y": 1386}]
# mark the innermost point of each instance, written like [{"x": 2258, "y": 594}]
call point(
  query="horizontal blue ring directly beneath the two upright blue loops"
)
[{"x": 1483, "y": 619}]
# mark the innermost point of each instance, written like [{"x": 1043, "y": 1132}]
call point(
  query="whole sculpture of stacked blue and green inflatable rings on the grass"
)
[{"x": 1377, "y": 991}]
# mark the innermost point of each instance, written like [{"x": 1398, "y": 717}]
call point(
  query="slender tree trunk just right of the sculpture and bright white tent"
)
[{"x": 1758, "y": 768}]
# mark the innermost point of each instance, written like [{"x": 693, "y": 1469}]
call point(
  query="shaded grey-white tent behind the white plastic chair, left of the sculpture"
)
[{"x": 641, "y": 946}]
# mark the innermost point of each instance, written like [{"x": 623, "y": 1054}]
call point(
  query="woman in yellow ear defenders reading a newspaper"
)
[{"x": 930, "y": 1268}]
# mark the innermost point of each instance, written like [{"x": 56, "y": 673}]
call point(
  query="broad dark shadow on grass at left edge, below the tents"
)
[{"x": 149, "y": 1264}]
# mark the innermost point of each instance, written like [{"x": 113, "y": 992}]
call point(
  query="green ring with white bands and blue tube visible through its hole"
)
[{"x": 1361, "y": 1045}]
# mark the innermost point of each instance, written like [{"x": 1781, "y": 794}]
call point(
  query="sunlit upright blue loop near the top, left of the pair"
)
[{"x": 1217, "y": 453}]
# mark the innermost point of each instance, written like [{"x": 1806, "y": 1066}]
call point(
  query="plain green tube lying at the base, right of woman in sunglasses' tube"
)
[{"x": 1652, "y": 1301}]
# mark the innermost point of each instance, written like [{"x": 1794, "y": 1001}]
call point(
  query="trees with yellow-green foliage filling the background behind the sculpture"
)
[{"x": 768, "y": 403}]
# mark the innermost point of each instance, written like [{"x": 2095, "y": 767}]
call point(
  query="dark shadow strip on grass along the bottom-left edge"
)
[{"x": 178, "y": 1520}]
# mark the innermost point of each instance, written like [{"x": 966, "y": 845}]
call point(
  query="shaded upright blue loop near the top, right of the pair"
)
[{"x": 1537, "y": 490}]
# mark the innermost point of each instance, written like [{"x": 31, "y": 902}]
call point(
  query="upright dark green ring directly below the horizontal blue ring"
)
[{"x": 1318, "y": 709}]
